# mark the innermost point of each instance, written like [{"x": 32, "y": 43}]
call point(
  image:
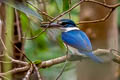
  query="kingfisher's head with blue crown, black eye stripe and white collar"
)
[{"x": 67, "y": 25}]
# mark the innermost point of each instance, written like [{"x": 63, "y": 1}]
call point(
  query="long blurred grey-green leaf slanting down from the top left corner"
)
[{"x": 23, "y": 8}]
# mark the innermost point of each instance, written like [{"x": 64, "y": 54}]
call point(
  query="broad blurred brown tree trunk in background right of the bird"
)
[{"x": 102, "y": 35}]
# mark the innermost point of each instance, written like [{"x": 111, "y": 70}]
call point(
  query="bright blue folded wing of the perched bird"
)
[{"x": 77, "y": 39}]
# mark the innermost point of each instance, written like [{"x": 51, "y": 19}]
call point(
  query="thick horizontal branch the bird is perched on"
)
[{"x": 106, "y": 55}]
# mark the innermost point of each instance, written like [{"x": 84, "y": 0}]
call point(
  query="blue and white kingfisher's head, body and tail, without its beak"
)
[{"x": 76, "y": 39}]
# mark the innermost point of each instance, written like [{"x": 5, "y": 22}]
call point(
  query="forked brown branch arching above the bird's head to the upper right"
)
[{"x": 111, "y": 7}]
